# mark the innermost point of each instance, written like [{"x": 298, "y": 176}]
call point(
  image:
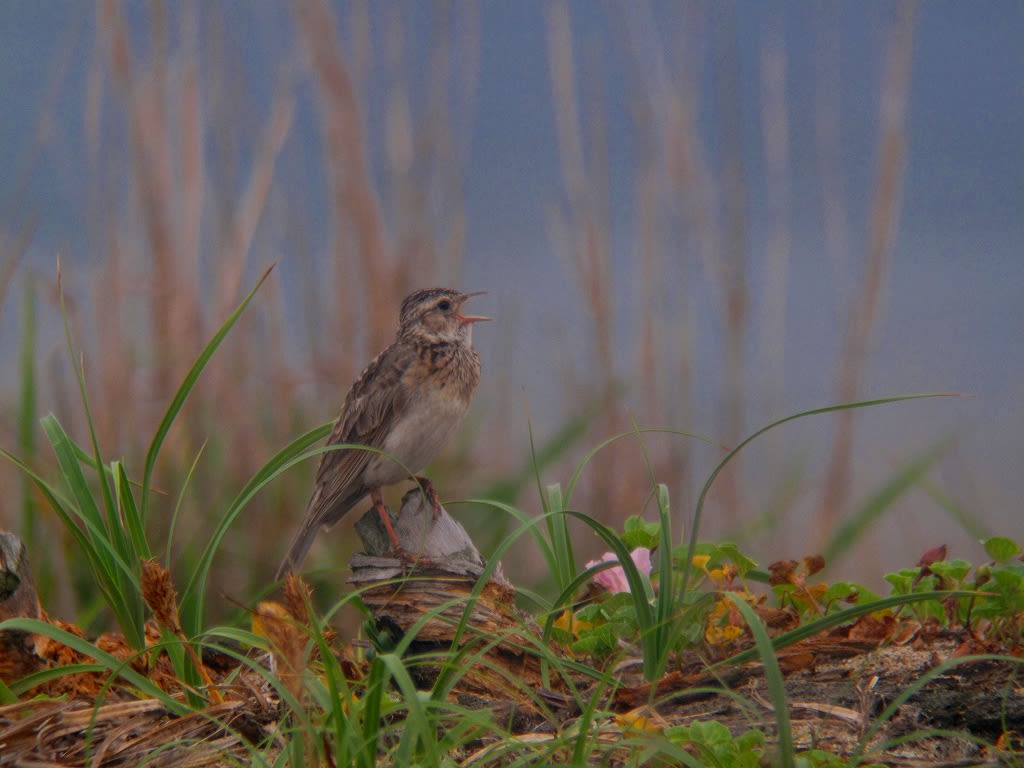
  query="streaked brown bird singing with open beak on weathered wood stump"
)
[{"x": 407, "y": 404}]
